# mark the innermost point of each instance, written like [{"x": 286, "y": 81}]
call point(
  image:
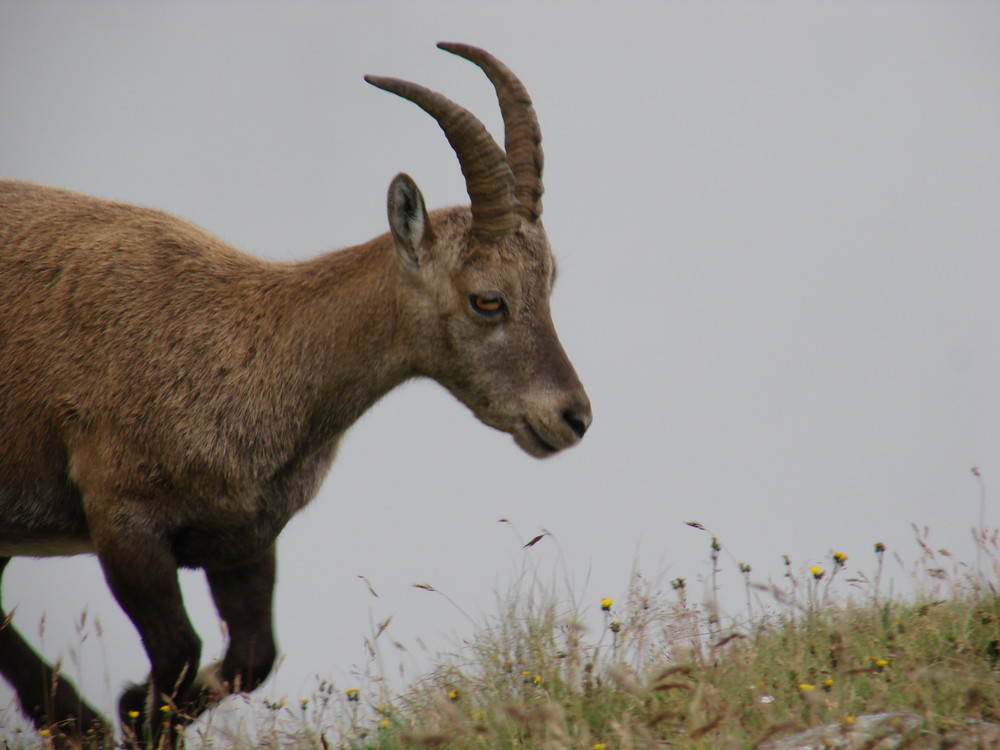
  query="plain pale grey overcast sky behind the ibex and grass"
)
[{"x": 777, "y": 226}]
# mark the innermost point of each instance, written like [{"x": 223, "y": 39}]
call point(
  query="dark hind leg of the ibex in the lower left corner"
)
[{"x": 45, "y": 696}]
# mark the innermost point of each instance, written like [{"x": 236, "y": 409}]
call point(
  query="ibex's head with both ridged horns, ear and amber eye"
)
[{"x": 477, "y": 281}]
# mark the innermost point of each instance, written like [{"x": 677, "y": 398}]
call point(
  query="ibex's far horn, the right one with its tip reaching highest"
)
[{"x": 522, "y": 135}]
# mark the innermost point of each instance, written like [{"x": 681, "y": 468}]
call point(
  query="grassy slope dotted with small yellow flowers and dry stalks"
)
[{"x": 655, "y": 669}]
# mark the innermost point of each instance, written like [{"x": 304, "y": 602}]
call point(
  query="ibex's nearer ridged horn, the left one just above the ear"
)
[{"x": 488, "y": 178}]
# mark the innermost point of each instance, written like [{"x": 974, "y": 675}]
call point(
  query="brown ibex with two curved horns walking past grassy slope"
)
[{"x": 167, "y": 401}]
